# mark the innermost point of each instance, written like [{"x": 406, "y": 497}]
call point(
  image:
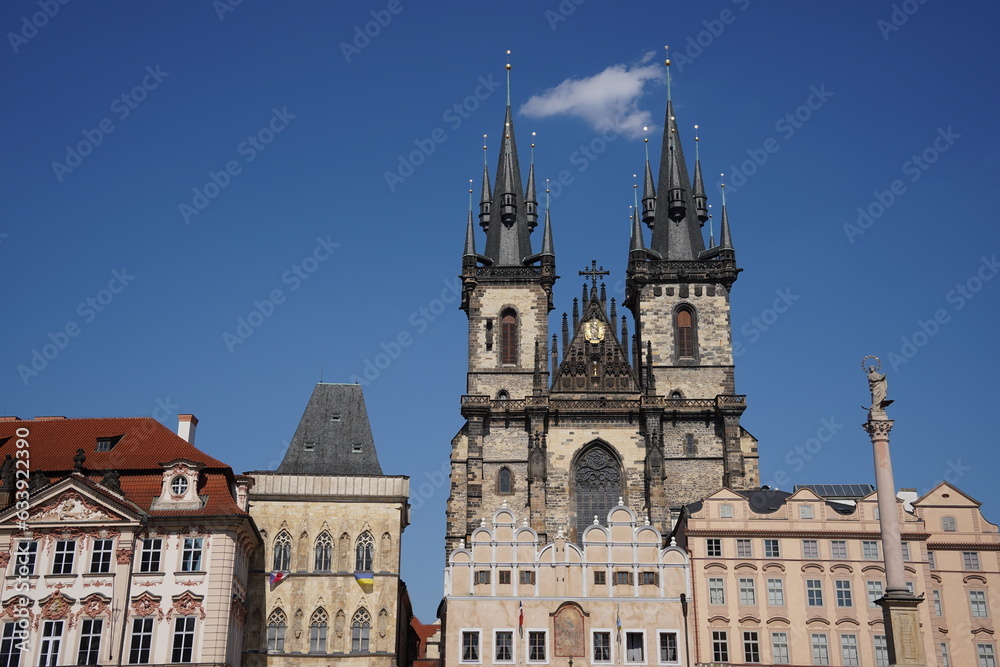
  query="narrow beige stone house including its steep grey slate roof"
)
[{"x": 326, "y": 587}]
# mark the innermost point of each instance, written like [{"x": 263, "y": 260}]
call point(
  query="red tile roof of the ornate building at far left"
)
[{"x": 142, "y": 445}]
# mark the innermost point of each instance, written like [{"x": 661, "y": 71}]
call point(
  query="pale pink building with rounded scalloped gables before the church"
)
[{"x": 618, "y": 599}]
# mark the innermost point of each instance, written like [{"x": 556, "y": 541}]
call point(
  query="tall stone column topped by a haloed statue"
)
[{"x": 899, "y": 605}]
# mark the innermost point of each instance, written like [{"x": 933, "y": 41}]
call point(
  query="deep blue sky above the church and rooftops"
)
[{"x": 228, "y": 160}]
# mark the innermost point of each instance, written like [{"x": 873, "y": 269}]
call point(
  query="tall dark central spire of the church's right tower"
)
[{"x": 676, "y": 228}]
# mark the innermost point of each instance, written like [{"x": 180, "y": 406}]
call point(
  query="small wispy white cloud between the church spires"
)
[{"x": 607, "y": 99}]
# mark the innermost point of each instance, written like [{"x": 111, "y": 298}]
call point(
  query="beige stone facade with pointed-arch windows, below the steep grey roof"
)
[{"x": 317, "y": 611}]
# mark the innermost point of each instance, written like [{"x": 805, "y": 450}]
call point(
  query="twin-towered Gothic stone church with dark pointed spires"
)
[{"x": 652, "y": 419}]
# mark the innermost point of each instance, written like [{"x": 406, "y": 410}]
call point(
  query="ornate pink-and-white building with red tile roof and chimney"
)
[{"x": 120, "y": 543}]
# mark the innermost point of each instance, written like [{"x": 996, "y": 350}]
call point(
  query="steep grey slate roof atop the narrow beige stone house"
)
[{"x": 334, "y": 436}]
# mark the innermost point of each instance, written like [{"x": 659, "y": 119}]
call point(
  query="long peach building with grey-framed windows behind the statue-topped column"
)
[{"x": 783, "y": 578}]
